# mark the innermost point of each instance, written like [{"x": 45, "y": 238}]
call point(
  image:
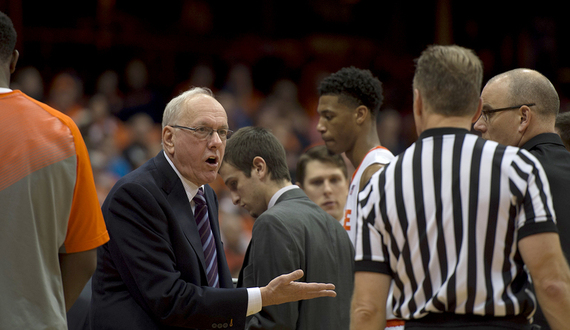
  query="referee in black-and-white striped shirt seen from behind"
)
[{"x": 454, "y": 219}]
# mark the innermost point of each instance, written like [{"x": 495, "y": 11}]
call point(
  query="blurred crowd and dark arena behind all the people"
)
[{"x": 292, "y": 40}]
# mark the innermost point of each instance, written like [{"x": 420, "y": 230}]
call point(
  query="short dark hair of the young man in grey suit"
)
[{"x": 250, "y": 142}]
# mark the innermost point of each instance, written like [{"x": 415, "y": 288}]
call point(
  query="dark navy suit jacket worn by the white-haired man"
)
[{"x": 151, "y": 274}]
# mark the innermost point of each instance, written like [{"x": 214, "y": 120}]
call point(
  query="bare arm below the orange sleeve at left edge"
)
[{"x": 76, "y": 269}]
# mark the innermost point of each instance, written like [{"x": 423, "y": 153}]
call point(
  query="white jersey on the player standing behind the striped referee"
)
[{"x": 376, "y": 155}]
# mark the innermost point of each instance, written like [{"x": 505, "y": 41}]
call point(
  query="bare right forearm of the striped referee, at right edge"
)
[{"x": 550, "y": 274}]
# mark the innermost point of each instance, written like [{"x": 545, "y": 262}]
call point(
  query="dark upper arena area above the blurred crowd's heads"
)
[{"x": 282, "y": 38}]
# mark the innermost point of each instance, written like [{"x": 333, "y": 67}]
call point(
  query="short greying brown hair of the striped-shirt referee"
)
[{"x": 449, "y": 79}]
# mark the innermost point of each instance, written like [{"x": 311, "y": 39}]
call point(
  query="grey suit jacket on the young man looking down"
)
[{"x": 296, "y": 233}]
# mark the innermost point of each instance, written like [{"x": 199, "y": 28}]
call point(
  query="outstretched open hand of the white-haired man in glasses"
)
[{"x": 283, "y": 289}]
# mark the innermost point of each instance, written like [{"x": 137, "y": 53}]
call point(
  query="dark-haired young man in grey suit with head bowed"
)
[{"x": 290, "y": 232}]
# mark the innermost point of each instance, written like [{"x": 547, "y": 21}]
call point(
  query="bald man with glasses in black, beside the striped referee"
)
[{"x": 519, "y": 109}]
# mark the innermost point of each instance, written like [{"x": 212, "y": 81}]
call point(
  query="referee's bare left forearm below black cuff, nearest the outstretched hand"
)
[{"x": 368, "y": 309}]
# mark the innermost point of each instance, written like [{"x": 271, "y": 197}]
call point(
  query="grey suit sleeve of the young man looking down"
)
[{"x": 272, "y": 252}]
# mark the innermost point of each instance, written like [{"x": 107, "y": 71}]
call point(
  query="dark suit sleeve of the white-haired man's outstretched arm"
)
[{"x": 142, "y": 247}]
